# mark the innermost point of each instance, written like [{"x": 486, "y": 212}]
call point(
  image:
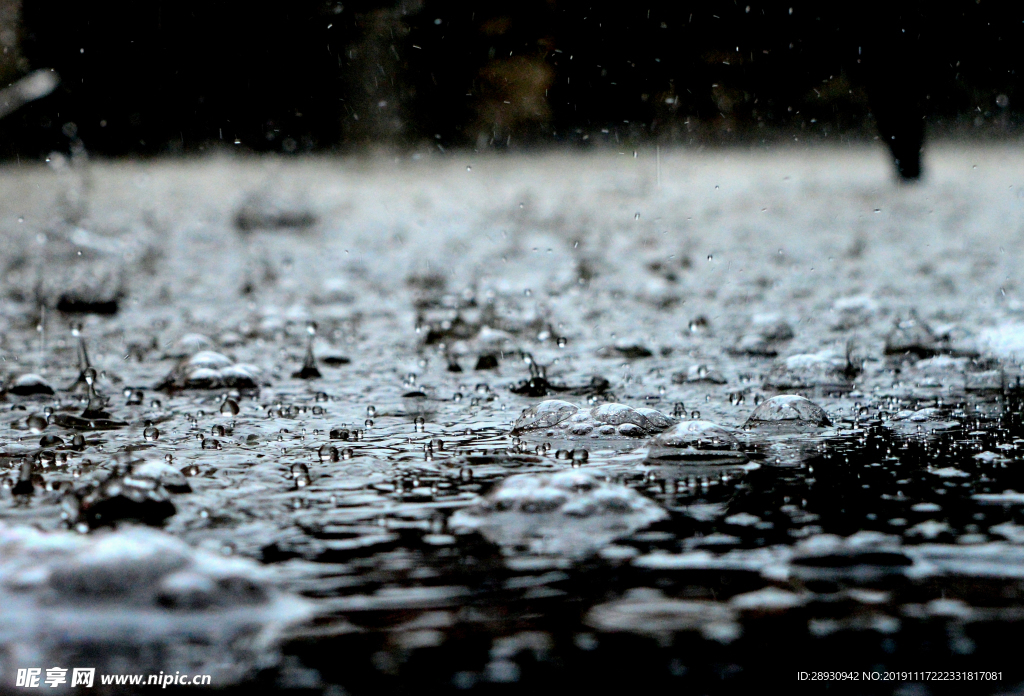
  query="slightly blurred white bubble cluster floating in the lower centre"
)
[{"x": 568, "y": 513}]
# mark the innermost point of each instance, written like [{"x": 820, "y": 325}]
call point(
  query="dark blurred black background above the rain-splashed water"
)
[{"x": 149, "y": 78}]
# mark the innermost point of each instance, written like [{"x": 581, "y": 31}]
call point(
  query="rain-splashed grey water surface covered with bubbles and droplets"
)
[{"x": 484, "y": 424}]
